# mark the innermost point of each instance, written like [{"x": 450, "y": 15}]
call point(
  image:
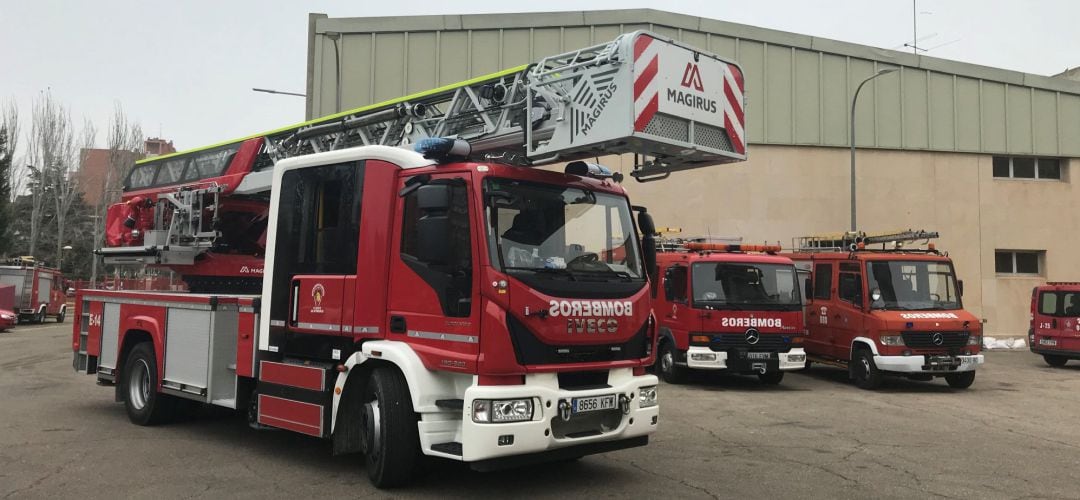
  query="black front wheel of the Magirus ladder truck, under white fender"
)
[{"x": 393, "y": 456}]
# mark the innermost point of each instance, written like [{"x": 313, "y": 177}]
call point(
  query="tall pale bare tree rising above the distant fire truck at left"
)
[{"x": 50, "y": 147}]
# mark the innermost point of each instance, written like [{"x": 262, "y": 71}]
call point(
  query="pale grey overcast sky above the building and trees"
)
[{"x": 185, "y": 70}]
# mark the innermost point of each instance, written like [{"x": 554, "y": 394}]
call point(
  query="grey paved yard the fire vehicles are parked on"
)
[{"x": 1015, "y": 435}]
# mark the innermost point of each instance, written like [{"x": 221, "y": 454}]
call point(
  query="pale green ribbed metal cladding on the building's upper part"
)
[{"x": 799, "y": 87}]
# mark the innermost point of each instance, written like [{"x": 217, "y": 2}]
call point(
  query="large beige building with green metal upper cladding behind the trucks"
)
[{"x": 981, "y": 155}]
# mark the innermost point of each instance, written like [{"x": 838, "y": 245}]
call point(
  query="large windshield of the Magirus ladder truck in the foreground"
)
[{"x": 559, "y": 231}]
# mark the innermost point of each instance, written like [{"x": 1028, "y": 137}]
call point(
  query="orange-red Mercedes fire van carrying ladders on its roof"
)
[{"x": 889, "y": 310}]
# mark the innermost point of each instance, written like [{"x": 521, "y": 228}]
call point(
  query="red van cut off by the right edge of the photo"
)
[{"x": 1056, "y": 322}]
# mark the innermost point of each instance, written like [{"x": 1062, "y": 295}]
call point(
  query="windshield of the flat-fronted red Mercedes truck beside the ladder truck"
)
[{"x": 739, "y": 286}]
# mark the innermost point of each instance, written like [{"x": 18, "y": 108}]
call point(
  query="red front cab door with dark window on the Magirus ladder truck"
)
[{"x": 433, "y": 283}]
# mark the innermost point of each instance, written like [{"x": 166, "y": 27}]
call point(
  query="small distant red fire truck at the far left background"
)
[{"x": 39, "y": 291}]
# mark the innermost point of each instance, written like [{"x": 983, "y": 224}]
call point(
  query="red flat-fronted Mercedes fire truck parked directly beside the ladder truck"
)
[{"x": 728, "y": 307}]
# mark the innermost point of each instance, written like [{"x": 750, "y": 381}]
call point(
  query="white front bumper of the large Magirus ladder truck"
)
[{"x": 547, "y": 433}]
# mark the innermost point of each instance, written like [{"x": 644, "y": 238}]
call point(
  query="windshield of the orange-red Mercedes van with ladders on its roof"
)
[{"x": 912, "y": 286}]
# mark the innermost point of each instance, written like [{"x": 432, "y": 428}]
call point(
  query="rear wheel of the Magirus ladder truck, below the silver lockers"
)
[{"x": 139, "y": 386}]
